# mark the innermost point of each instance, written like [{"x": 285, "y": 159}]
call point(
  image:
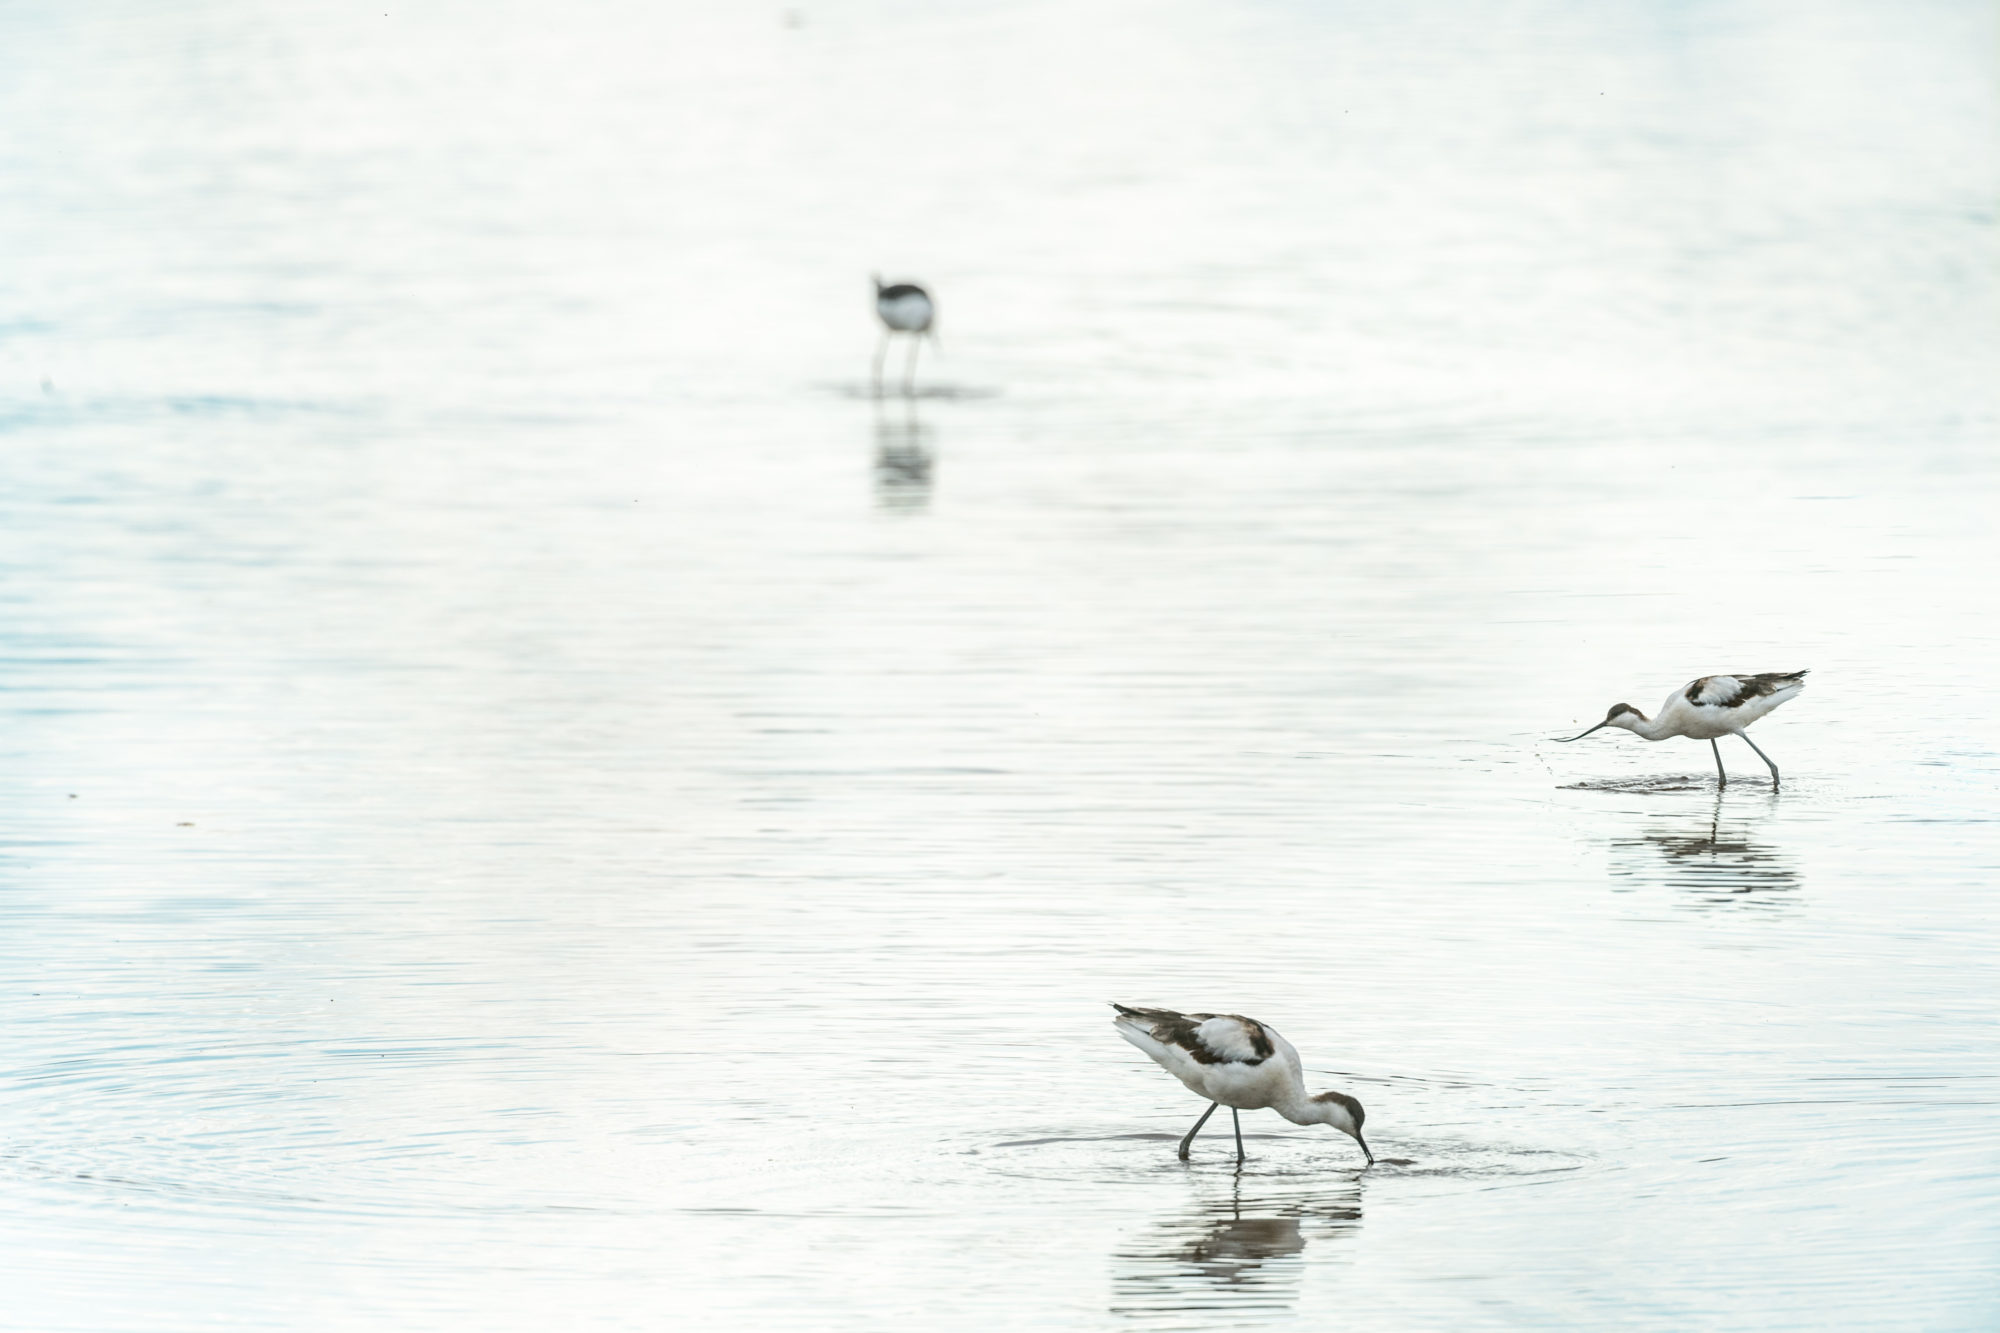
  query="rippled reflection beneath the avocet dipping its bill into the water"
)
[{"x": 1229, "y": 1256}]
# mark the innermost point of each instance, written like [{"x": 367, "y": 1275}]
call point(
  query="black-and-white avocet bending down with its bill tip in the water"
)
[{"x": 1237, "y": 1064}]
